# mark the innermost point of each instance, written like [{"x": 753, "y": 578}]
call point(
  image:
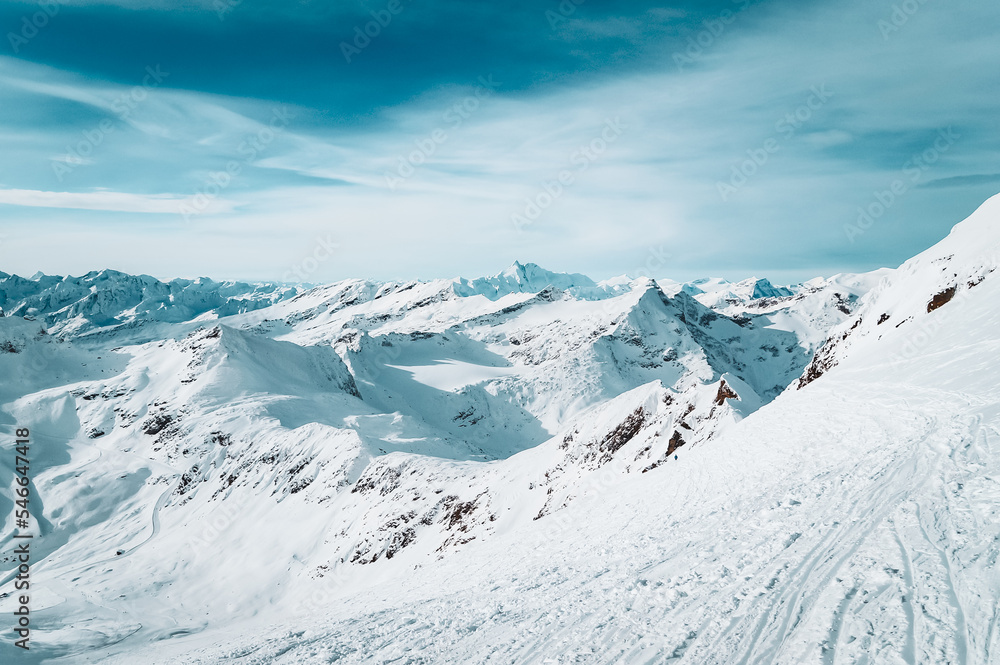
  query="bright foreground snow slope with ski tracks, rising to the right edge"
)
[{"x": 855, "y": 520}]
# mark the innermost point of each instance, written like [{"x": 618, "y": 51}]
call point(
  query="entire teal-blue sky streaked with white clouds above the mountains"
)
[{"x": 276, "y": 140}]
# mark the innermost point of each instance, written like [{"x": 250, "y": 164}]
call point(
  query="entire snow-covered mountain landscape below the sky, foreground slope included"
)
[{"x": 527, "y": 468}]
